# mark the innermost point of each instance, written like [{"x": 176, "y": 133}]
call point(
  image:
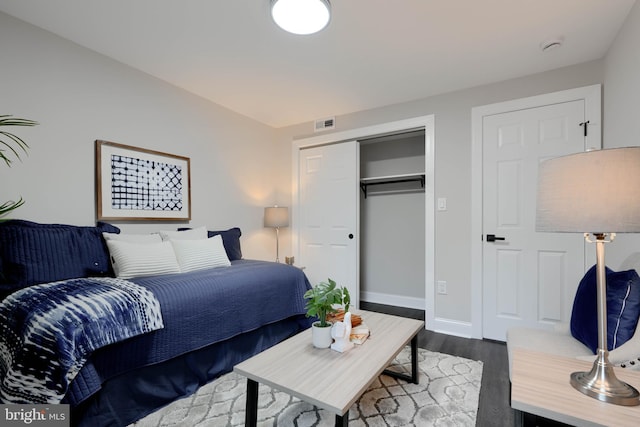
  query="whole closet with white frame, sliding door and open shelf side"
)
[{"x": 380, "y": 246}]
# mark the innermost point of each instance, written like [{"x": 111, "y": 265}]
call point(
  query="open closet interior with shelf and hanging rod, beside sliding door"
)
[{"x": 392, "y": 219}]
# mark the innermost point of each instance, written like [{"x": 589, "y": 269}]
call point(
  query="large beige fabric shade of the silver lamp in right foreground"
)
[{"x": 592, "y": 192}]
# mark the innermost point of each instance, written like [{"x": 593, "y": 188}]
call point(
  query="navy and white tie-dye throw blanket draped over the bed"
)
[{"x": 47, "y": 332}]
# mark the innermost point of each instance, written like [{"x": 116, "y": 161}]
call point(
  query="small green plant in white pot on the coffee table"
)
[{"x": 321, "y": 300}]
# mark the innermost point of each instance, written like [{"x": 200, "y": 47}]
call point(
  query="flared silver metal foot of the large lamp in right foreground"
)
[{"x": 601, "y": 383}]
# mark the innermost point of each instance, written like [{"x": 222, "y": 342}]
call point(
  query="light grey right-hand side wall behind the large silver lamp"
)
[{"x": 622, "y": 110}]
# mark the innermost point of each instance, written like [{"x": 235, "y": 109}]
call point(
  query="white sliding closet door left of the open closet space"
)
[{"x": 328, "y": 222}]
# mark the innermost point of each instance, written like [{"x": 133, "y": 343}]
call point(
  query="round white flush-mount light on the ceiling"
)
[{"x": 301, "y": 16}]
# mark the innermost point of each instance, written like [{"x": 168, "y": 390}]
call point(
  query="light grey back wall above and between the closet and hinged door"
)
[{"x": 452, "y": 113}]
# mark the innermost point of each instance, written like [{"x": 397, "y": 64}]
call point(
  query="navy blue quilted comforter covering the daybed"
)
[{"x": 198, "y": 309}]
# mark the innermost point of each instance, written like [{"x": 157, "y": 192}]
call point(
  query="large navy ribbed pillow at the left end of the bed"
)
[{"x": 34, "y": 253}]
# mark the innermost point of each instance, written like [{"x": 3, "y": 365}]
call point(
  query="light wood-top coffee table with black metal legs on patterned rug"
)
[{"x": 326, "y": 378}]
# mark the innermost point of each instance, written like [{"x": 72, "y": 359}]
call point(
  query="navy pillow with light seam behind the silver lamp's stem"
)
[{"x": 623, "y": 308}]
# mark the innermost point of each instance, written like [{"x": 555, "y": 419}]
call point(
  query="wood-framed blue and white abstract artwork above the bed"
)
[{"x": 139, "y": 184}]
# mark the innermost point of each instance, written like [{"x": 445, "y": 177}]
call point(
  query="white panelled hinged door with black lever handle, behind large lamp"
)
[{"x": 529, "y": 278}]
